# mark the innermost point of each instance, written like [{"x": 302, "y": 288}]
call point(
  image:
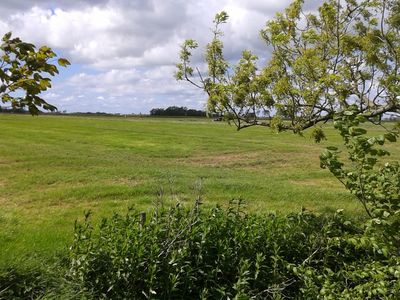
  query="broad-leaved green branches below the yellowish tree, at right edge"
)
[{"x": 375, "y": 185}]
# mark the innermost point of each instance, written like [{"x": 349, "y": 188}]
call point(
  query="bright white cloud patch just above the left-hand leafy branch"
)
[{"x": 83, "y": 33}]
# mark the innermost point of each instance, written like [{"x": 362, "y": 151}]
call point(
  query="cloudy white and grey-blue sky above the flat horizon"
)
[{"x": 123, "y": 52}]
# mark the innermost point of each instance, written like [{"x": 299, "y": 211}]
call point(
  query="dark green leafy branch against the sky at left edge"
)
[{"x": 21, "y": 74}]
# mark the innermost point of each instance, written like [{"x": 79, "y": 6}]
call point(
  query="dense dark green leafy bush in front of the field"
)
[{"x": 219, "y": 254}]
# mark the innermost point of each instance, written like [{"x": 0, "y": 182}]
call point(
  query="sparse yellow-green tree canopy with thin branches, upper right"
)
[{"x": 347, "y": 53}]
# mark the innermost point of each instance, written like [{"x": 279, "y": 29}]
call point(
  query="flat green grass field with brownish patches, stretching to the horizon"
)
[{"x": 52, "y": 168}]
